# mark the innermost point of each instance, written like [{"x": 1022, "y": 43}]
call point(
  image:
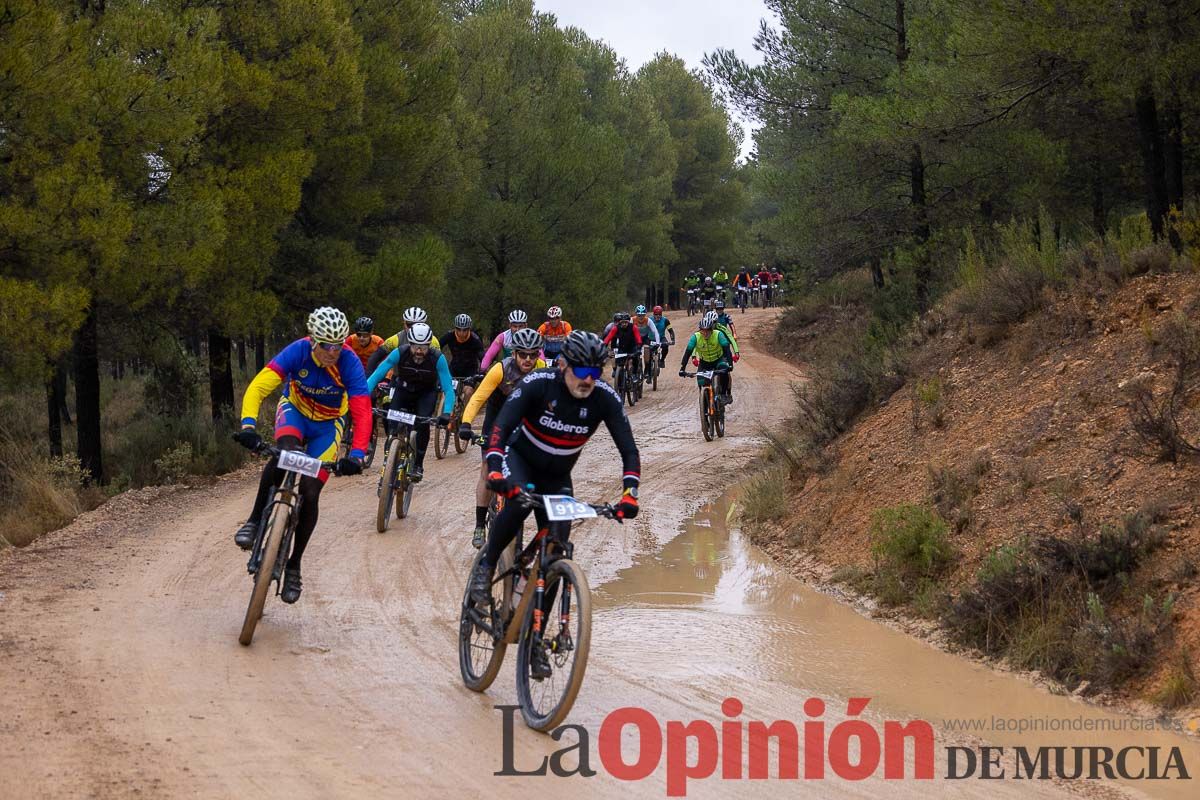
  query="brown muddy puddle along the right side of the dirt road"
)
[{"x": 734, "y": 624}]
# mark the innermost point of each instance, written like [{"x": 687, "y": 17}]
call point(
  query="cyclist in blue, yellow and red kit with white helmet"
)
[{"x": 322, "y": 378}]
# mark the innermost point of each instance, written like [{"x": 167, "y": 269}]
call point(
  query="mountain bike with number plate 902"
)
[{"x": 273, "y": 542}]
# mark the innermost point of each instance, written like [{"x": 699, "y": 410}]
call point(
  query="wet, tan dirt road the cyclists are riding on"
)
[{"x": 124, "y": 678}]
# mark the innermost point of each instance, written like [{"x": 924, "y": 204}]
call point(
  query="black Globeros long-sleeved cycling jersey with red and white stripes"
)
[{"x": 549, "y": 426}]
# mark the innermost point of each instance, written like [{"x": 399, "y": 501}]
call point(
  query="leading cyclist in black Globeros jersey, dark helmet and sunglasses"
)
[{"x": 537, "y": 440}]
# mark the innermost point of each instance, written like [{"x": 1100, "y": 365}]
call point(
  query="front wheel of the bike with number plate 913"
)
[{"x": 566, "y": 637}]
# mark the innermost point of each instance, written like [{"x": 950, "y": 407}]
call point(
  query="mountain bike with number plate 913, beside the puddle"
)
[{"x": 529, "y": 584}]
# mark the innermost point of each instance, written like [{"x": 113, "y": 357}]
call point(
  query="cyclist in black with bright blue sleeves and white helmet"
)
[{"x": 419, "y": 370}]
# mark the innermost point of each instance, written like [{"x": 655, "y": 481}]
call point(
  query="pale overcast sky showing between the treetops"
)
[{"x": 638, "y": 29}]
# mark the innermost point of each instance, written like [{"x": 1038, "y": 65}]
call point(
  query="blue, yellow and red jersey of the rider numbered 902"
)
[{"x": 316, "y": 393}]
